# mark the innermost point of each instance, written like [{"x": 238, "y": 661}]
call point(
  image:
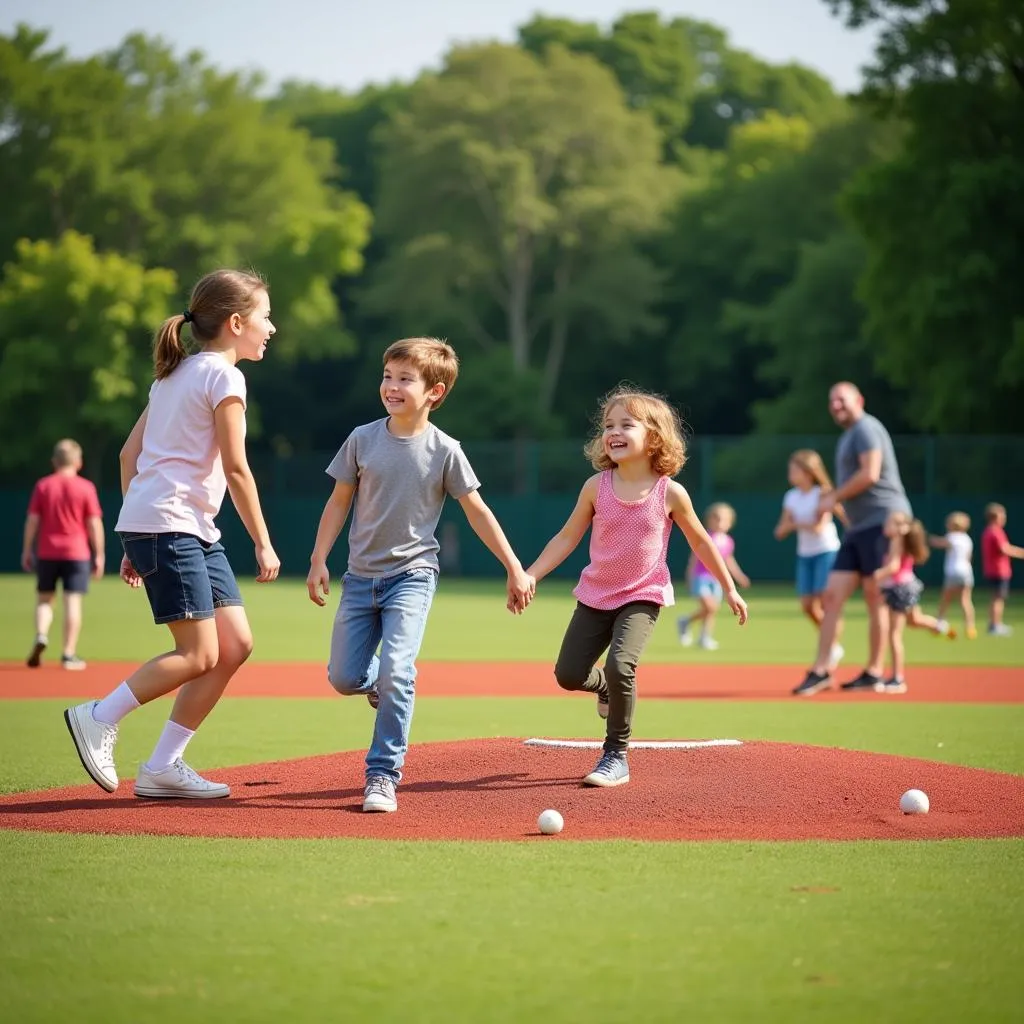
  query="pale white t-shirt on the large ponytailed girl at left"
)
[{"x": 181, "y": 483}]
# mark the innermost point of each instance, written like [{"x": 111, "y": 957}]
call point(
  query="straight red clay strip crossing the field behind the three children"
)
[{"x": 454, "y": 679}]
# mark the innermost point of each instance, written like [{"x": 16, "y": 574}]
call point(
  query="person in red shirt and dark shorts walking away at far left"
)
[{"x": 64, "y": 541}]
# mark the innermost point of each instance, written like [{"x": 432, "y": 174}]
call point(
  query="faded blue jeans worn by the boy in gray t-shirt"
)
[{"x": 390, "y": 613}]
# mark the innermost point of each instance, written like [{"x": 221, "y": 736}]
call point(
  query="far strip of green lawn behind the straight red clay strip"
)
[{"x": 470, "y": 623}]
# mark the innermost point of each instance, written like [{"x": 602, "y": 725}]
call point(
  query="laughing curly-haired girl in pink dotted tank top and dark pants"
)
[{"x": 630, "y": 505}]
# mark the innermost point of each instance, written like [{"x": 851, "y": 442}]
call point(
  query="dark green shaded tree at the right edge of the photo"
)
[{"x": 944, "y": 219}]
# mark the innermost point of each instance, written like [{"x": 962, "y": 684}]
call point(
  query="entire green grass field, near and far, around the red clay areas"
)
[{"x": 146, "y": 929}]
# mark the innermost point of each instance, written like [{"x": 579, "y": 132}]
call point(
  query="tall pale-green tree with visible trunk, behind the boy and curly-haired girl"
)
[{"x": 514, "y": 193}]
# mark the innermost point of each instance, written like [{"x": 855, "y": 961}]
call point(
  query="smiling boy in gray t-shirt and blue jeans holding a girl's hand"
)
[{"x": 398, "y": 472}]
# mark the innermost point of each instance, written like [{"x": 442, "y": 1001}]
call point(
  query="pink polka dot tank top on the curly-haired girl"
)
[{"x": 629, "y": 545}]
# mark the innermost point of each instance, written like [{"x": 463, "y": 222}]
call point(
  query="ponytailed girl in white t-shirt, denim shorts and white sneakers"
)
[{"x": 187, "y": 450}]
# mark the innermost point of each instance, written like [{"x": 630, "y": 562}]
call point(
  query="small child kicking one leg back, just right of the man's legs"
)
[{"x": 902, "y": 589}]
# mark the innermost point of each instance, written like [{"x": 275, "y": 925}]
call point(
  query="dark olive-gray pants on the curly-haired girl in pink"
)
[{"x": 624, "y": 633}]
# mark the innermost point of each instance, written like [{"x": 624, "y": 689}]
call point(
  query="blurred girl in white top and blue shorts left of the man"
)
[{"x": 818, "y": 539}]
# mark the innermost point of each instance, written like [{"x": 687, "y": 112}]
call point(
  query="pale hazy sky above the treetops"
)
[{"x": 350, "y": 44}]
